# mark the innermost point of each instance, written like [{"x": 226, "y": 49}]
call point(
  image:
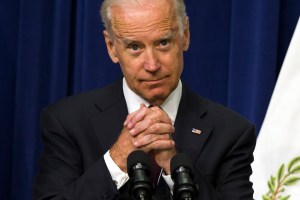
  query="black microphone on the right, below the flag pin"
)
[{"x": 182, "y": 174}]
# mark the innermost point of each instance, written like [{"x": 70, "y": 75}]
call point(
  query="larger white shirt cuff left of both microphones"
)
[{"x": 119, "y": 177}]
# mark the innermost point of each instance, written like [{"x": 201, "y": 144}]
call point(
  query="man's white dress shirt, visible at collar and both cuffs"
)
[{"x": 133, "y": 102}]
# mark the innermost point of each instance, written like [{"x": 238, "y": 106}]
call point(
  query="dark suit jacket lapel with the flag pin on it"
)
[{"x": 189, "y": 118}]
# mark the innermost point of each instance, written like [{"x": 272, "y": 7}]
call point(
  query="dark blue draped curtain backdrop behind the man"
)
[{"x": 53, "y": 48}]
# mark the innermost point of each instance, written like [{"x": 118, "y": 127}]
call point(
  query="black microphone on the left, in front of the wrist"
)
[{"x": 140, "y": 185}]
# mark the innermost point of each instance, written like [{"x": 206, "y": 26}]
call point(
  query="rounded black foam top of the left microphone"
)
[{"x": 137, "y": 156}]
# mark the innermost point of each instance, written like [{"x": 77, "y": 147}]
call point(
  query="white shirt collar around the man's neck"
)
[{"x": 170, "y": 106}]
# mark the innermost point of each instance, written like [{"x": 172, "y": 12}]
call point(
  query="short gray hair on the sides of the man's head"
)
[{"x": 105, "y": 13}]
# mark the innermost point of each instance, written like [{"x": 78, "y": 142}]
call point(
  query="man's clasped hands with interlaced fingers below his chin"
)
[{"x": 147, "y": 129}]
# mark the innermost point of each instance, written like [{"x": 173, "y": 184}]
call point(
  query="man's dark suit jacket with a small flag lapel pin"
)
[{"x": 78, "y": 130}]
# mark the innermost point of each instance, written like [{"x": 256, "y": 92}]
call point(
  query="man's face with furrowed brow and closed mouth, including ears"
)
[{"x": 149, "y": 48}]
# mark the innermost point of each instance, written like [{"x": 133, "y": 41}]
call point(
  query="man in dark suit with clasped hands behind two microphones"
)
[{"x": 89, "y": 136}]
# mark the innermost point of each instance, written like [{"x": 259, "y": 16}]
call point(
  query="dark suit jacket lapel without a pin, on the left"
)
[{"x": 108, "y": 124}]
